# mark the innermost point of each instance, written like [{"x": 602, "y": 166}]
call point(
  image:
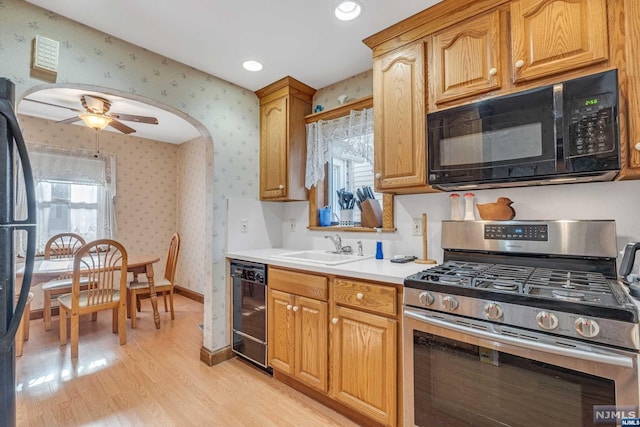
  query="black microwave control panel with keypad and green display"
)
[{"x": 591, "y": 127}]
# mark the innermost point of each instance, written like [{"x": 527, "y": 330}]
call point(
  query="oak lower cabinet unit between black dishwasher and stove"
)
[{"x": 358, "y": 372}]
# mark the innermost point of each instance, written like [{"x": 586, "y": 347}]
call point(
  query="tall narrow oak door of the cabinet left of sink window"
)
[{"x": 273, "y": 148}]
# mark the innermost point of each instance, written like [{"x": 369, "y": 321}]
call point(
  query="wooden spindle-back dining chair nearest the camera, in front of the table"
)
[{"x": 104, "y": 263}]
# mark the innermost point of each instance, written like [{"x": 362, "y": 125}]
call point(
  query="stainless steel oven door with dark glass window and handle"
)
[{"x": 460, "y": 372}]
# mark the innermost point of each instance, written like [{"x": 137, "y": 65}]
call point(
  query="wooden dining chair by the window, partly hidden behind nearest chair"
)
[{"x": 63, "y": 245}]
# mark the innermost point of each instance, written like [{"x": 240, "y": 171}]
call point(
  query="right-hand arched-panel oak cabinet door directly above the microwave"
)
[{"x": 553, "y": 36}]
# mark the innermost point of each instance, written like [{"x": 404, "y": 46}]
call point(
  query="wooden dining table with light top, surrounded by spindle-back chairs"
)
[{"x": 48, "y": 269}]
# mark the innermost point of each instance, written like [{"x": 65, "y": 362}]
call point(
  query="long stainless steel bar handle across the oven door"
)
[{"x": 609, "y": 359}]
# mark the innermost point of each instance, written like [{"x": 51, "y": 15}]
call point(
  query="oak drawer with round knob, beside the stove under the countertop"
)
[{"x": 375, "y": 298}]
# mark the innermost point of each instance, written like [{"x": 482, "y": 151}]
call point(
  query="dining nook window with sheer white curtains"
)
[{"x": 74, "y": 193}]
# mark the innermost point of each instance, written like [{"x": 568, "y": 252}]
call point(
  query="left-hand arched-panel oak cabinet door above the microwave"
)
[{"x": 465, "y": 59}]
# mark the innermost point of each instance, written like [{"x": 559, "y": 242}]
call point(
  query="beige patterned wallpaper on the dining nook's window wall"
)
[{"x": 146, "y": 173}]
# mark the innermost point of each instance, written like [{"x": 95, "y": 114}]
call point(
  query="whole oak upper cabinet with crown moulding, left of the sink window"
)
[{"x": 283, "y": 145}]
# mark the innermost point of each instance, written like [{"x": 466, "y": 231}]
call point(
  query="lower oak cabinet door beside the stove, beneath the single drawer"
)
[{"x": 364, "y": 370}]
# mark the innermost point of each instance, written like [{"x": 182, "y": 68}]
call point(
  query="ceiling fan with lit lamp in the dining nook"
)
[{"x": 98, "y": 116}]
